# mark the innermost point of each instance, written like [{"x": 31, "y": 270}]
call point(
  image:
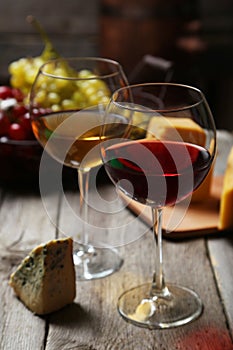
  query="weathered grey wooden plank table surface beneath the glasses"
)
[{"x": 92, "y": 321}]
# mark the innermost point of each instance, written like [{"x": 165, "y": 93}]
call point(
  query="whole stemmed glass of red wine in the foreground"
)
[{"x": 167, "y": 150}]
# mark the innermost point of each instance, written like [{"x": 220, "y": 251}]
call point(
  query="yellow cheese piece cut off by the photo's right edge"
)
[{"x": 226, "y": 202}]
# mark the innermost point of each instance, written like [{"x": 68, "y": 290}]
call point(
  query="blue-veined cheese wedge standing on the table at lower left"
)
[{"x": 45, "y": 280}]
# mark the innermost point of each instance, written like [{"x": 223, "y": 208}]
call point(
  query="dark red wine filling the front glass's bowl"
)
[{"x": 157, "y": 173}]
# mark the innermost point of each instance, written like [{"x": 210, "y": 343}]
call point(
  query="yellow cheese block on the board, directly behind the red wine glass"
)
[{"x": 182, "y": 129}]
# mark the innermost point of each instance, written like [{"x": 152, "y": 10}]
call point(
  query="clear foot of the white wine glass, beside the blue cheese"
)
[{"x": 95, "y": 263}]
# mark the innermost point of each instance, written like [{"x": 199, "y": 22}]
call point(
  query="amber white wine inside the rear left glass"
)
[{"x": 73, "y": 137}]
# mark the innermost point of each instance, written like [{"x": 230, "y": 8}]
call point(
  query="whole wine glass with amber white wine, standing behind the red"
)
[{"x": 67, "y": 104}]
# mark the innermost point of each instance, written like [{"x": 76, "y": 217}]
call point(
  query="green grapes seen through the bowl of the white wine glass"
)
[{"x": 85, "y": 91}]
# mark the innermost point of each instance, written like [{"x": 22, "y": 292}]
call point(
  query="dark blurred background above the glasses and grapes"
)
[{"x": 187, "y": 41}]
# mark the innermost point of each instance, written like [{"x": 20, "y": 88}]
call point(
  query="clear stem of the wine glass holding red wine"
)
[{"x": 158, "y": 283}]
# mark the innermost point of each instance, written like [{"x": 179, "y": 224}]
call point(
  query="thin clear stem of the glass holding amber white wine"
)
[{"x": 83, "y": 179}]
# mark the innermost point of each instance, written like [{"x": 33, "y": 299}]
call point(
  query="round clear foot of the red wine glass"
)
[{"x": 180, "y": 307}]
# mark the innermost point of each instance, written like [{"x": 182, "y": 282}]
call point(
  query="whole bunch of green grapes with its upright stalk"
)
[{"x": 87, "y": 91}]
